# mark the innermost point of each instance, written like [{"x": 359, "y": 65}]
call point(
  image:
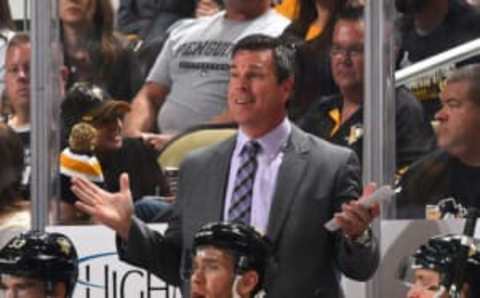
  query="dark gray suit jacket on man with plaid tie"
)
[{"x": 314, "y": 179}]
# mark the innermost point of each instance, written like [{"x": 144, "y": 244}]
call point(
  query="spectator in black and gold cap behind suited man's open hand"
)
[{"x": 89, "y": 103}]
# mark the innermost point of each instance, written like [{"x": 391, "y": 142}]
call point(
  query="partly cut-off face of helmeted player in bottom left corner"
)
[{"x": 21, "y": 287}]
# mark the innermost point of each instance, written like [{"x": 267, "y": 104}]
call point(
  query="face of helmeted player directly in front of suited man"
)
[{"x": 213, "y": 273}]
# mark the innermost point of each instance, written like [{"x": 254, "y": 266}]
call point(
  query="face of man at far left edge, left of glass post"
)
[{"x": 17, "y": 76}]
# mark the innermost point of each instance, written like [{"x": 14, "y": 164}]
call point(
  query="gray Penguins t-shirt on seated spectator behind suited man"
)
[{"x": 194, "y": 64}]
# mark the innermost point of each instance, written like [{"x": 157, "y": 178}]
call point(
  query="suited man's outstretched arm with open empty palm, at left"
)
[{"x": 140, "y": 245}]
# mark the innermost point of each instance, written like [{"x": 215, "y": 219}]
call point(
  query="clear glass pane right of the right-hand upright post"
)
[{"x": 430, "y": 49}]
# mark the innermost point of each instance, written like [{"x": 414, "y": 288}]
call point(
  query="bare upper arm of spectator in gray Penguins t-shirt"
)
[{"x": 145, "y": 107}]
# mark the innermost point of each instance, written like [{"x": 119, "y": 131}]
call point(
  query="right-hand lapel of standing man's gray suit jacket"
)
[{"x": 290, "y": 175}]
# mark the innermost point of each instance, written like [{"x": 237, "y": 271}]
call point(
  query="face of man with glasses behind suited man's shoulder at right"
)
[{"x": 347, "y": 55}]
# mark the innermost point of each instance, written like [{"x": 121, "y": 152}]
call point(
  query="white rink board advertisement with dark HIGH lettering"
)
[{"x": 103, "y": 275}]
